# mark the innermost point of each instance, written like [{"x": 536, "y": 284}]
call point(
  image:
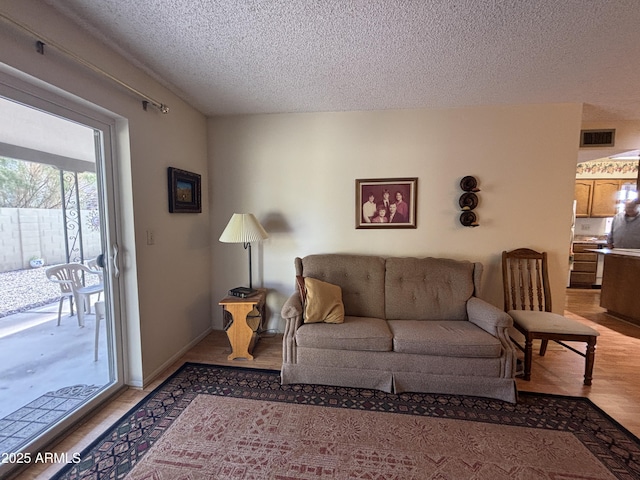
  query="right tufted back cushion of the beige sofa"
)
[{"x": 428, "y": 288}]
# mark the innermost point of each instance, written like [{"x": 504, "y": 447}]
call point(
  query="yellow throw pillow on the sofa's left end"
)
[{"x": 324, "y": 302}]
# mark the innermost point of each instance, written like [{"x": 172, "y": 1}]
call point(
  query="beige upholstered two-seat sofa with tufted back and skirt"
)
[{"x": 410, "y": 325}]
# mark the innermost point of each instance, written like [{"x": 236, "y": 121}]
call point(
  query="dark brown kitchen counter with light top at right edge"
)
[{"x": 620, "y": 281}]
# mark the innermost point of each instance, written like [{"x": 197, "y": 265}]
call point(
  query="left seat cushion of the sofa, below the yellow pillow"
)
[{"x": 356, "y": 333}]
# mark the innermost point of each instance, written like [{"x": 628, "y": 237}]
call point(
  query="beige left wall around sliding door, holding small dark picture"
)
[{"x": 167, "y": 284}]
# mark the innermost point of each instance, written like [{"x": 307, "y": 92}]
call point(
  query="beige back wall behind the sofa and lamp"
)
[{"x": 297, "y": 172}]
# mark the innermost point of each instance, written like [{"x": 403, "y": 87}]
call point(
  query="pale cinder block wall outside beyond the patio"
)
[{"x": 34, "y": 232}]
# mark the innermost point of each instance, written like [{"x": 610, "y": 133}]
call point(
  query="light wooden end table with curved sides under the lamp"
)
[{"x": 242, "y": 331}]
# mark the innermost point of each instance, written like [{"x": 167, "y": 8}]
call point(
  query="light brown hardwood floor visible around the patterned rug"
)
[{"x": 560, "y": 371}]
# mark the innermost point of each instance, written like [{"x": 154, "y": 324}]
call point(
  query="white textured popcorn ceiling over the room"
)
[{"x": 263, "y": 56}]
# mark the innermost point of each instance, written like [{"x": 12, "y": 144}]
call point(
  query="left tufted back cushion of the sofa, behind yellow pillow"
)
[{"x": 361, "y": 278}]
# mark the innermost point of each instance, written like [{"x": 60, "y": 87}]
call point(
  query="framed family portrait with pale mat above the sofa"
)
[{"x": 386, "y": 202}]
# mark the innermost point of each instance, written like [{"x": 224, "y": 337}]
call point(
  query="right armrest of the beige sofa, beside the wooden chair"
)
[{"x": 496, "y": 322}]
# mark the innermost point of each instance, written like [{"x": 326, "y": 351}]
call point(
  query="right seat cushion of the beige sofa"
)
[{"x": 446, "y": 338}]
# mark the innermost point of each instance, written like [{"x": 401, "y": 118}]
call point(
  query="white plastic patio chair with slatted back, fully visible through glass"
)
[{"x": 71, "y": 278}]
